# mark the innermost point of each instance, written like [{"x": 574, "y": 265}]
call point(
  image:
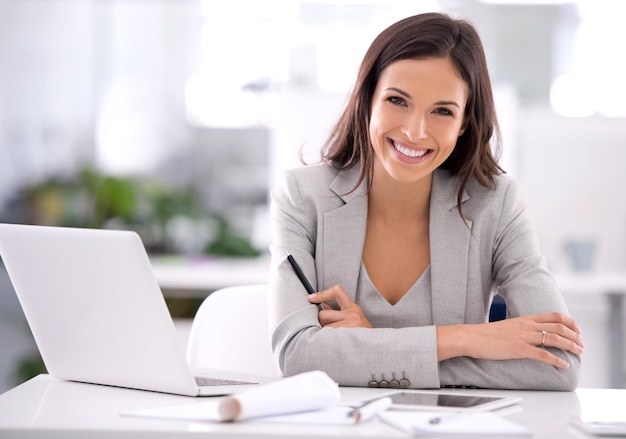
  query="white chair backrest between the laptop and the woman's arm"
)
[{"x": 230, "y": 331}]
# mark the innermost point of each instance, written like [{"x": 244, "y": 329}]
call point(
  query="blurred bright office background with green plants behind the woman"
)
[{"x": 174, "y": 116}]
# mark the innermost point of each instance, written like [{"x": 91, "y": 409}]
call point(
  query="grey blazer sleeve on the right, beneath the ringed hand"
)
[{"x": 521, "y": 275}]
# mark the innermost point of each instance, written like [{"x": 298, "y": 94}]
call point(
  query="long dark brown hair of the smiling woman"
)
[{"x": 430, "y": 35}]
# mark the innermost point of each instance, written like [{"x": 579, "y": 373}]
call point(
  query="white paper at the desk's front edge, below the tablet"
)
[{"x": 477, "y": 423}]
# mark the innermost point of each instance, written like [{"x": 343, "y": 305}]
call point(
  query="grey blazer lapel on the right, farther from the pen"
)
[{"x": 449, "y": 248}]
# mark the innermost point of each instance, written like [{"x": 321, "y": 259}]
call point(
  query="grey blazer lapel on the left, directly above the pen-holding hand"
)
[{"x": 344, "y": 232}]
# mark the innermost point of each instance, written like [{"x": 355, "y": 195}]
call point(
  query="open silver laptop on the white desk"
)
[{"x": 97, "y": 313}]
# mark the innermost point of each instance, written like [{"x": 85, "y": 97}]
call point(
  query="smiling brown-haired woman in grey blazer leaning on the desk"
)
[{"x": 407, "y": 229}]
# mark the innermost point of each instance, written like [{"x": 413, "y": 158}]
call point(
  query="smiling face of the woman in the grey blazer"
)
[{"x": 417, "y": 117}]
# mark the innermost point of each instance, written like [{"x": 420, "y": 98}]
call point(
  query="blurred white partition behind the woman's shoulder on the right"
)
[{"x": 573, "y": 171}]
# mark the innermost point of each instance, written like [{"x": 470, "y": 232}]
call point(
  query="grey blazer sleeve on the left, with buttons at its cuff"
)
[{"x": 351, "y": 356}]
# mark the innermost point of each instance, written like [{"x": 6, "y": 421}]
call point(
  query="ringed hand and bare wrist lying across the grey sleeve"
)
[{"x": 514, "y": 338}]
